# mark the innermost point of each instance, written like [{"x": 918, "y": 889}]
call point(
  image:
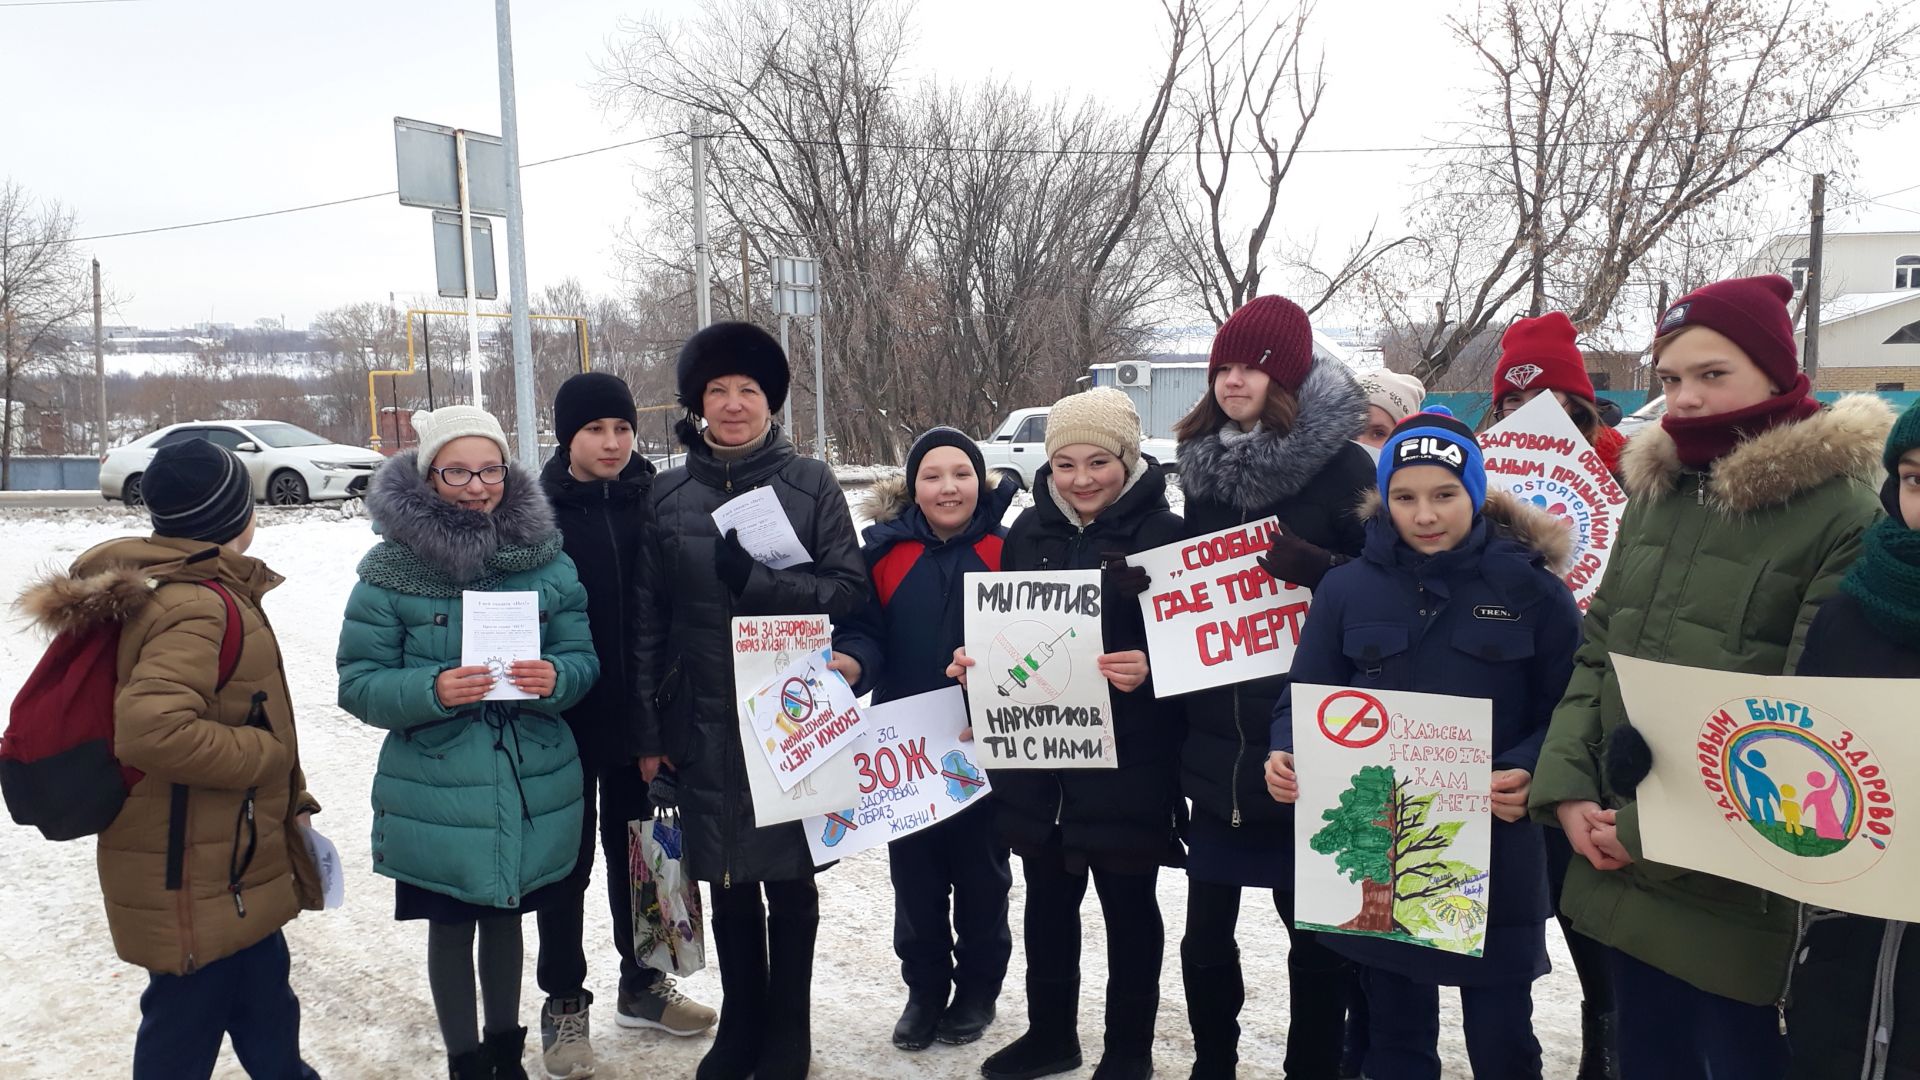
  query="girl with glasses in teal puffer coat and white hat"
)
[{"x": 477, "y": 804}]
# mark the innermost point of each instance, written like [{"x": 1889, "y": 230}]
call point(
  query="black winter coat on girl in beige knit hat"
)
[{"x": 1132, "y": 814}]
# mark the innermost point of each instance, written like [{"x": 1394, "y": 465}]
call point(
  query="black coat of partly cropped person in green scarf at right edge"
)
[{"x": 1835, "y": 993}]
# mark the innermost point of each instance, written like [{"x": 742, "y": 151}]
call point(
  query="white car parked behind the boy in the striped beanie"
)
[{"x": 289, "y": 464}]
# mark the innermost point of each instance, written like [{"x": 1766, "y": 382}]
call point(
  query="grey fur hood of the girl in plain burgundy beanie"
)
[{"x": 1264, "y": 468}]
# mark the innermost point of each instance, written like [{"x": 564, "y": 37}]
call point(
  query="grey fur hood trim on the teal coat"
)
[{"x": 456, "y": 541}]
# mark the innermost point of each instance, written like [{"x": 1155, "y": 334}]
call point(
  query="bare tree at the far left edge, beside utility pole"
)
[{"x": 43, "y": 293}]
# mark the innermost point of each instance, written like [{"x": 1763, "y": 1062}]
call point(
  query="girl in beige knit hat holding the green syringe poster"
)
[{"x": 1097, "y": 503}]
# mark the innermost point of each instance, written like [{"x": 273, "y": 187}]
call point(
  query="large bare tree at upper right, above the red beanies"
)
[{"x": 1604, "y": 130}]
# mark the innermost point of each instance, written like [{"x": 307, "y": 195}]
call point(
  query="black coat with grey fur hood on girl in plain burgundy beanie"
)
[{"x": 1312, "y": 479}]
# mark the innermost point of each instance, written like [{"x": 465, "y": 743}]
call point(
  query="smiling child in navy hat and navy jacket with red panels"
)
[{"x": 932, "y": 528}]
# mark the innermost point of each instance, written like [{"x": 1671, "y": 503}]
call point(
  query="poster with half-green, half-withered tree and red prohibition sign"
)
[{"x": 1397, "y": 814}]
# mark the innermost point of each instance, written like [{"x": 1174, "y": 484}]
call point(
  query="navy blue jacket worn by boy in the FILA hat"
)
[{"x": 1487, "y": 620}]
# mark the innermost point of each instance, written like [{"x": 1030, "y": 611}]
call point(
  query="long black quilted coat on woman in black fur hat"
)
[{"x": 684, "y": 656}]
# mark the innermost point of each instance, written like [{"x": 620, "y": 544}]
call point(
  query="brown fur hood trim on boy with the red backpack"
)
[{"x": 114, "y": 581}]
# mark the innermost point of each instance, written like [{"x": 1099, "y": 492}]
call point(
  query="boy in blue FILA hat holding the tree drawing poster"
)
[{"x": 1458, "y": 593}]
